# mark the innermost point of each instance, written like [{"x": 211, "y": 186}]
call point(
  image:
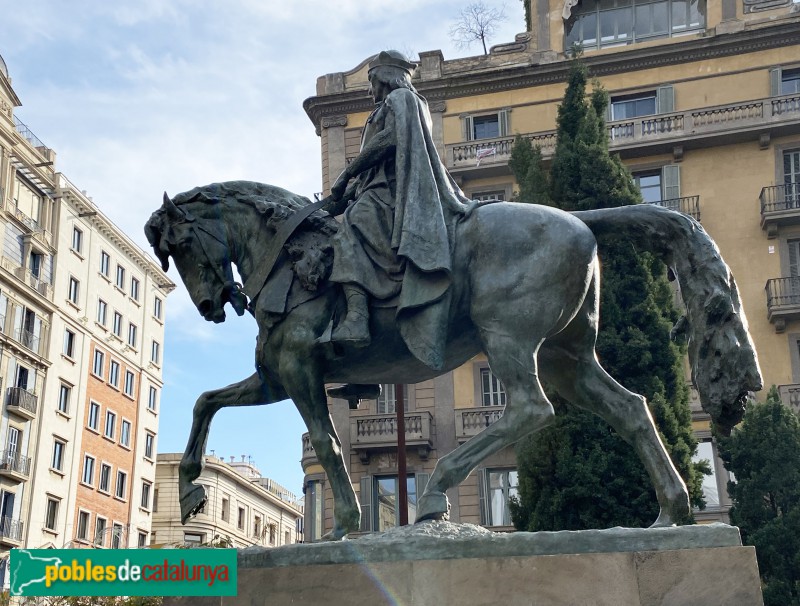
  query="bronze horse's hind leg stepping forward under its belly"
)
[{"x": 527, "y": 410}]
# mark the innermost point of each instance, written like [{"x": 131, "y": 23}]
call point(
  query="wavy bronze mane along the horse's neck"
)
[{"x": 309, "y": 248}]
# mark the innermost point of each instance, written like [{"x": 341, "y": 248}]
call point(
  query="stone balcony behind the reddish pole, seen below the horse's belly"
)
[{"x": 374, "y": 433}]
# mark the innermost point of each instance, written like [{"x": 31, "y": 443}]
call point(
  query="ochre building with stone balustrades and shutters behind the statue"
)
[{"x": 705, "y": 111}]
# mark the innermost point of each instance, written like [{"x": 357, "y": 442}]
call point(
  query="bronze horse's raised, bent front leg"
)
[{"x": 252, "y": 391}]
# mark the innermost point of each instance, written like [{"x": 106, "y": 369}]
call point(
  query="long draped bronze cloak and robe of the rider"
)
[{"x": 396, "y": 239}]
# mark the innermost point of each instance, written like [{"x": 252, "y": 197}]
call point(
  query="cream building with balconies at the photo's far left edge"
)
[{"x": 28, "y": 216}]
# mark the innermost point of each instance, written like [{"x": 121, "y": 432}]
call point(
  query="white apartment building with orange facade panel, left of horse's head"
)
[{"x": 93, "y": 482}]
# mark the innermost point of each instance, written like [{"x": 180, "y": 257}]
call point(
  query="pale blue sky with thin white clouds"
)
[{"x": 145, "y": 96}]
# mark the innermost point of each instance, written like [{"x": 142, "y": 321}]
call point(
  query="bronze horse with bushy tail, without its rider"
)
[{"x": 526, "y": 284}]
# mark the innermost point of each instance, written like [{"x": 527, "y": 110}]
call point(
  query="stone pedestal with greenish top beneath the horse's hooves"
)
[{"x": 438, "y": 563}]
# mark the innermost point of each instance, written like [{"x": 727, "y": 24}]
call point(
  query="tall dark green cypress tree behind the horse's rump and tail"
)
[{"x": 579, "y": 473}]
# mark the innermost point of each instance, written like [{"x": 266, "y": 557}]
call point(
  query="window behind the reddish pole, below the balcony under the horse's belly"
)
[{"x": 379, "y": 494}]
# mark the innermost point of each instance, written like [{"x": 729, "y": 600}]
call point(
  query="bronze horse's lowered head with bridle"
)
[{"x": 197, "y": 243}]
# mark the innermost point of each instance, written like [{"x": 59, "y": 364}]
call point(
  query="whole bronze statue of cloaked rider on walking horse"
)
[{"x": 415, "y": 280}]
